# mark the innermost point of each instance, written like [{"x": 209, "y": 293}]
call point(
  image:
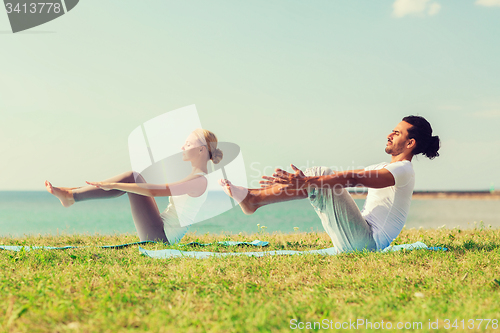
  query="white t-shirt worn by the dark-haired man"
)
[{"x": 386, "y": 209}]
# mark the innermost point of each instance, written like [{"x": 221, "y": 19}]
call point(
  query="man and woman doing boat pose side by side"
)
[{"x": 390, "y": 187}]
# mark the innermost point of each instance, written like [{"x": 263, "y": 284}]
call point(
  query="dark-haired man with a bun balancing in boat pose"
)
[{"x": 390, "y": 187}]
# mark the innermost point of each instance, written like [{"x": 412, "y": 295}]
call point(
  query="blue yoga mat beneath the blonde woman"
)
[{"x": 119, "y": 246}]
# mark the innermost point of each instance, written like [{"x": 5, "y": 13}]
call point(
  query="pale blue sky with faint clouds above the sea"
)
[{"x": 303, "y": 82}]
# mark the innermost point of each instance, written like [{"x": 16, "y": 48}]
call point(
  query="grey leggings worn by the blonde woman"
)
[{"x": 145, "y": 212}]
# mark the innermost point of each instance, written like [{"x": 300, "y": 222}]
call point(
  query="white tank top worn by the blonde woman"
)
[{"x": 184, "y": 208}]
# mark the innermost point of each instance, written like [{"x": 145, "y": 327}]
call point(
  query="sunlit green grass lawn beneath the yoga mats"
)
[{"x": 97, "y": 290}]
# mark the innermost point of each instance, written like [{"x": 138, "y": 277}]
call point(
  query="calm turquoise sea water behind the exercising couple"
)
[{"x": 40, "y": 213}]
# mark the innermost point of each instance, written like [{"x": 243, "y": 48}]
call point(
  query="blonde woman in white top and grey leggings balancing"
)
[{"x": 190, "y": 193}]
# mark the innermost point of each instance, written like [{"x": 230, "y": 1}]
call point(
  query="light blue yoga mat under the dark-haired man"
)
[{"x": 167, "y": 254}]
